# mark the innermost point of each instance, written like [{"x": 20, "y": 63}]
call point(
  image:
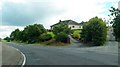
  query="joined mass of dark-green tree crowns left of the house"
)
[{"x": 30, "y": 34}]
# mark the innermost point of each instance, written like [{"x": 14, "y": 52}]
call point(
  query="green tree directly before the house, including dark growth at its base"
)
[{"x": 61, "y": 30}]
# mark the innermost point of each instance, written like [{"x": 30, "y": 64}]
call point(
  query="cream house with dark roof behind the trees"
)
[{"x": 71, "y": 24}]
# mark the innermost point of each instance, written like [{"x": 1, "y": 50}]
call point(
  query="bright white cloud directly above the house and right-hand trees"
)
[{"x": 80, "y": 10}]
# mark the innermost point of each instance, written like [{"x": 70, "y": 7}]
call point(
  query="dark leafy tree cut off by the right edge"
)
[{"x": 115, "y": 13}]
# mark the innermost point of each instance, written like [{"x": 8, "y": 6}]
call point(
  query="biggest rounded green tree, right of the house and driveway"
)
[{"x": 94, "y": 31}]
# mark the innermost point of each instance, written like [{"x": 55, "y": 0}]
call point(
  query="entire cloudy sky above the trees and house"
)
[{"x": 20, "y": 13}]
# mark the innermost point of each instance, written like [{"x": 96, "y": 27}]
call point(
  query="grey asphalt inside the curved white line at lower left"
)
[{"x": 11, "y": 56}]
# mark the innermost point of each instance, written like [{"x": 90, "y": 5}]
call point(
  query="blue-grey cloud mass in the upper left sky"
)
[{"x": 20, "y": 14}]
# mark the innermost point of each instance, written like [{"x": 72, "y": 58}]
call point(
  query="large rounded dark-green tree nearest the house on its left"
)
[{"x": 32, "y": 32}]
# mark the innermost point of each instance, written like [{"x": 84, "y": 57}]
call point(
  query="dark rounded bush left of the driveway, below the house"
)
[{"x": 62, "y": 37}]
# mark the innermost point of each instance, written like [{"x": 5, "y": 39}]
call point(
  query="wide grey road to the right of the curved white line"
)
[{"x": 50, "y": 55}]
